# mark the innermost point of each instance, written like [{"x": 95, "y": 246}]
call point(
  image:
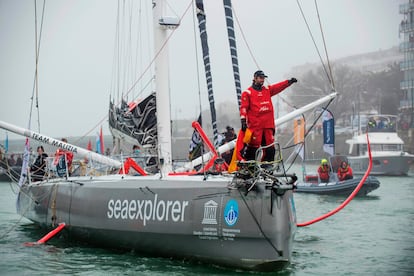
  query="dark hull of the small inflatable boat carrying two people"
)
[{"x": 340, "y": 188}]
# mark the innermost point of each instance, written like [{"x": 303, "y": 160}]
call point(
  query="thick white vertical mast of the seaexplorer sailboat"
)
[{"x": 161, "y": 24}]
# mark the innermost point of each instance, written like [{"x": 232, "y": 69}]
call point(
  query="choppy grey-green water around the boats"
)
[{"x": 373, "y": 235}]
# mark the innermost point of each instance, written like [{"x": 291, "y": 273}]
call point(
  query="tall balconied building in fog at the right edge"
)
[{"x": 407, "y": 65}]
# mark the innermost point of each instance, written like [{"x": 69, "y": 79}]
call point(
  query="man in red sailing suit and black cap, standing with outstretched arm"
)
[{"x": 256, "y": 113}]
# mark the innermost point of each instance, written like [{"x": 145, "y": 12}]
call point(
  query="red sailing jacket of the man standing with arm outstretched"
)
[{"x": 256, "y": 106}]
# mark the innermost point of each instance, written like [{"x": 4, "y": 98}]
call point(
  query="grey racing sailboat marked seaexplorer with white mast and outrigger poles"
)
[{"x": 245, "y": 220}]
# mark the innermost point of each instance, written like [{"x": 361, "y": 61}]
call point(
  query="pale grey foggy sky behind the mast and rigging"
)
[{"x": 77, "y": 53}]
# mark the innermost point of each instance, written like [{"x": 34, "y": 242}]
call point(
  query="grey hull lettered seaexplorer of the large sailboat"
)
[{"x": 177, "y": 219}]
